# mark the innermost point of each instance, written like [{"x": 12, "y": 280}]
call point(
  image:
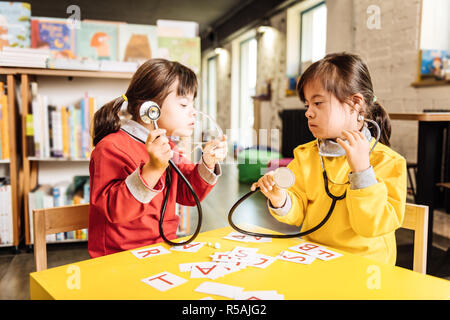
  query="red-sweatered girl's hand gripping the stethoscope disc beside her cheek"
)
[{"x": 158, "y": 149}]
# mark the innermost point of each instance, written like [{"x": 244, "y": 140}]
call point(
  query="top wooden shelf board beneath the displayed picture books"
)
[{"x": 67, "y": 73}]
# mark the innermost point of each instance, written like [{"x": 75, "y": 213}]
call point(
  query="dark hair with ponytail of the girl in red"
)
[{"x": 151, "y": 81}]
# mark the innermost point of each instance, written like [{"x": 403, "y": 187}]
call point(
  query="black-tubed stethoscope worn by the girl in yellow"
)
[{"x": 284, "y": 178}]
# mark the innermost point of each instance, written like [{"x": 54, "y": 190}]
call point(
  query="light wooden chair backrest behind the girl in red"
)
[{"x": 54, "y": 220}]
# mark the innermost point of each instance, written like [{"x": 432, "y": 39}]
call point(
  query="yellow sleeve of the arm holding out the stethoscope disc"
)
[{"x": 297, "y": 193}]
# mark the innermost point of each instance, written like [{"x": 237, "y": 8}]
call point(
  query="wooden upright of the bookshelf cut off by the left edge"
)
[{"x": 12, "y": 163}]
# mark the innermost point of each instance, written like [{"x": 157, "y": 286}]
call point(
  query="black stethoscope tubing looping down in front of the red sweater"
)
[{"x": 166, "y": 198}]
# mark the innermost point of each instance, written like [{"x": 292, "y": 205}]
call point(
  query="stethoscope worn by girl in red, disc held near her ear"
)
[{"x": 150, "y": 112}]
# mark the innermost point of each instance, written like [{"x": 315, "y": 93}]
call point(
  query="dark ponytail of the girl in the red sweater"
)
[{"x": 107, "y": 120}]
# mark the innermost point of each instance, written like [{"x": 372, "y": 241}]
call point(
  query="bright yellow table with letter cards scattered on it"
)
[{"x": 118, "y": 276}]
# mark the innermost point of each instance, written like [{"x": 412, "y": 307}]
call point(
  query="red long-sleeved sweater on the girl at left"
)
[{"x": 117, "y": 220}]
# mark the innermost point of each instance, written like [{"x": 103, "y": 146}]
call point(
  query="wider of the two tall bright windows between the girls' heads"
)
[{"x": 247, "y": 84}]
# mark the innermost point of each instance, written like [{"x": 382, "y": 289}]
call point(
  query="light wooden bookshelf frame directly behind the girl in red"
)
[{"x": 30, "y": 165}]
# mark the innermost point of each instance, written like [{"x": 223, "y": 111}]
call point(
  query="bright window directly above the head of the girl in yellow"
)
[{"x": 313, "y": 35}]
